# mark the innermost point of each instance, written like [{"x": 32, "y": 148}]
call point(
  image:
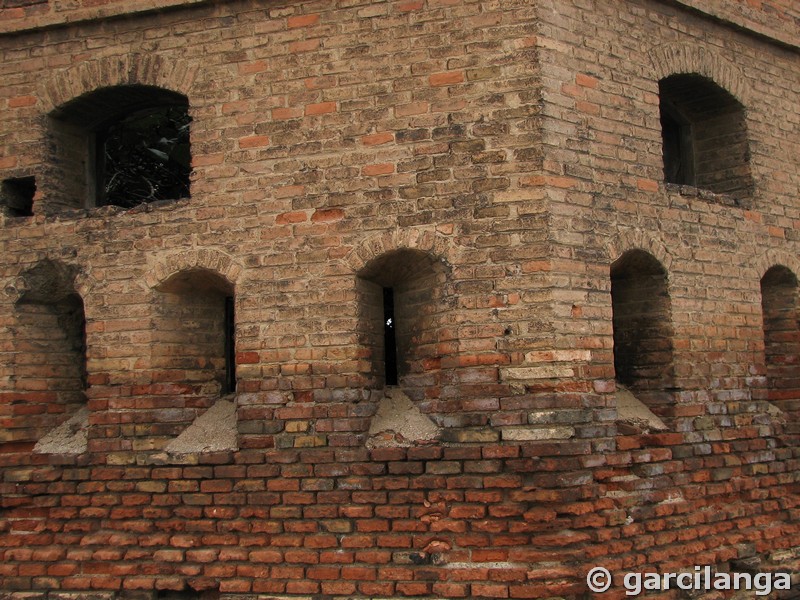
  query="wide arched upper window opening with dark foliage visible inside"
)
[{"x": 121, "y": 146}]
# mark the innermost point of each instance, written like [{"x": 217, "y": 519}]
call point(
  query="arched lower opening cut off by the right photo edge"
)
[{"x": 779, "y": 298}]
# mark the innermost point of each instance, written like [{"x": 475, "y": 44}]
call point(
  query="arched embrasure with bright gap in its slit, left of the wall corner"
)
[{"x": 398, "y": 297}]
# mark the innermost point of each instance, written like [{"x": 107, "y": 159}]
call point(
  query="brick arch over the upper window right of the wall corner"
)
[{"x": 676, "y": 58}]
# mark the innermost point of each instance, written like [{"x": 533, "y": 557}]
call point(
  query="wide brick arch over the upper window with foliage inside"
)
[{"x": 132, "y": 69}]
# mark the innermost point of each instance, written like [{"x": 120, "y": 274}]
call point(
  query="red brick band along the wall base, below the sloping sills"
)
[{"x": 325, "y": 529}]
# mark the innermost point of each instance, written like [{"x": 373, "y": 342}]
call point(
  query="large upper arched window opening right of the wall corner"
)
[{"x": 704, "y": 136}]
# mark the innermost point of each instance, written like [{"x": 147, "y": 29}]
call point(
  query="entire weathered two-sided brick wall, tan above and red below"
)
[{"x": 490, "y": 162}]
